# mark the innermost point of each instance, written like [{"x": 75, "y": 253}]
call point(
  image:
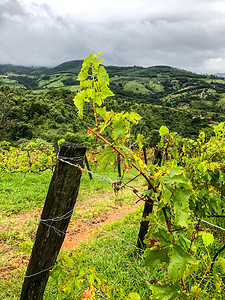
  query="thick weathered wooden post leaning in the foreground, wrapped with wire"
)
[{"x": 55, "y": 217}]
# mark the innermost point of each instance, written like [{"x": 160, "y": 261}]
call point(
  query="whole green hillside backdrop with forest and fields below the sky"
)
[{"x": 37, "y": 102}]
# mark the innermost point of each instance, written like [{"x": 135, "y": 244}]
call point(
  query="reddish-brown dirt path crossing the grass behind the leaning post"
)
[{"x": 78, "y": 231}]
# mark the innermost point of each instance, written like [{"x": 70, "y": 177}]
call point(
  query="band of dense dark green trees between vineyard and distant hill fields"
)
[{"x": 25, "y": 115}]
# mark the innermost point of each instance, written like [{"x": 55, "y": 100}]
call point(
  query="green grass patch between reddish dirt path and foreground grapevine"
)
[{"x": 119, "y": 262}]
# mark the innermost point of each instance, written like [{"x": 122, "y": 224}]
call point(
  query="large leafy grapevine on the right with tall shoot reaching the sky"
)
[{"x": 188, "y": 183}]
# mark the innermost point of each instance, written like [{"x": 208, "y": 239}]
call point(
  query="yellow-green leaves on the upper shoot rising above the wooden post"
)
[{"x": 94, "y": 83}]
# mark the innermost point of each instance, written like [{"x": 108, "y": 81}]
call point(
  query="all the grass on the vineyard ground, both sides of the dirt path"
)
[{"x": 21, "y": 202}]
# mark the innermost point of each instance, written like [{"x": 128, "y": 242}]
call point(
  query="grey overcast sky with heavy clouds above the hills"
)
[{"x": 187, "y": 34}]
